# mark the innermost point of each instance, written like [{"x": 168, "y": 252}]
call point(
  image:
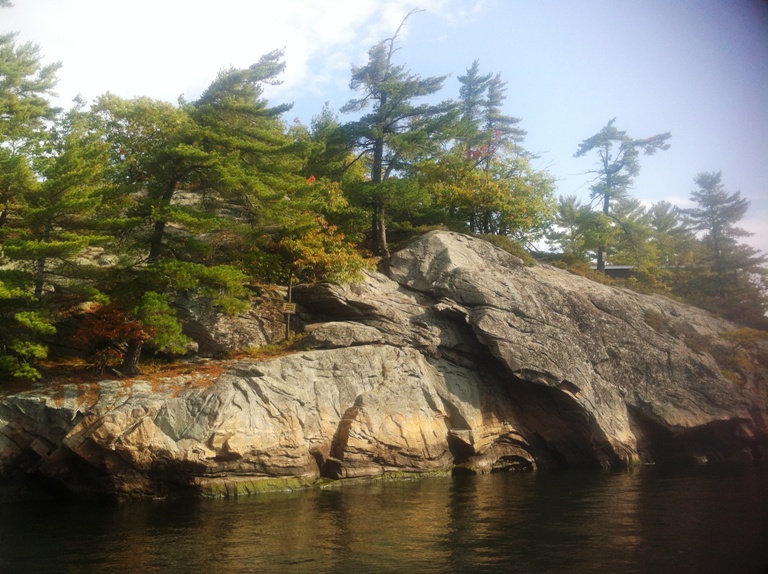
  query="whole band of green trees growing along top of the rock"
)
[{"x": 123, "y": 210}]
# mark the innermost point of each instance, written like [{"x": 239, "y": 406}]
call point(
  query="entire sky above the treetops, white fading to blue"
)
[{"x": 695, "y": 68}]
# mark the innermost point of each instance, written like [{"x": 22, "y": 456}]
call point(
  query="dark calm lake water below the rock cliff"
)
[{"x": 703, "y": 519}]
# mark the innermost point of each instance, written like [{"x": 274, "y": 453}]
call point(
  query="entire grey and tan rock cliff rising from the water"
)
[{"x": 458, "y": 358}]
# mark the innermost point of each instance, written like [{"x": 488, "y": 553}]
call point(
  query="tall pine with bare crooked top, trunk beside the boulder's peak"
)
[{"x": 396, "y": 132}]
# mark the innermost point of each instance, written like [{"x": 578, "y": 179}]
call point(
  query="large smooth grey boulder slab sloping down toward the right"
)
[{"x": 597, "y": 345}]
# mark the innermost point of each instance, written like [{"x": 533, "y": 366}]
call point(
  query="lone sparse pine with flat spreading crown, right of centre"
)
[{"x": 618, "y": 165}]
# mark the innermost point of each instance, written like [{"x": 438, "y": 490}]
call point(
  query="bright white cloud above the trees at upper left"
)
[{"x": 163, "y": 49}]
